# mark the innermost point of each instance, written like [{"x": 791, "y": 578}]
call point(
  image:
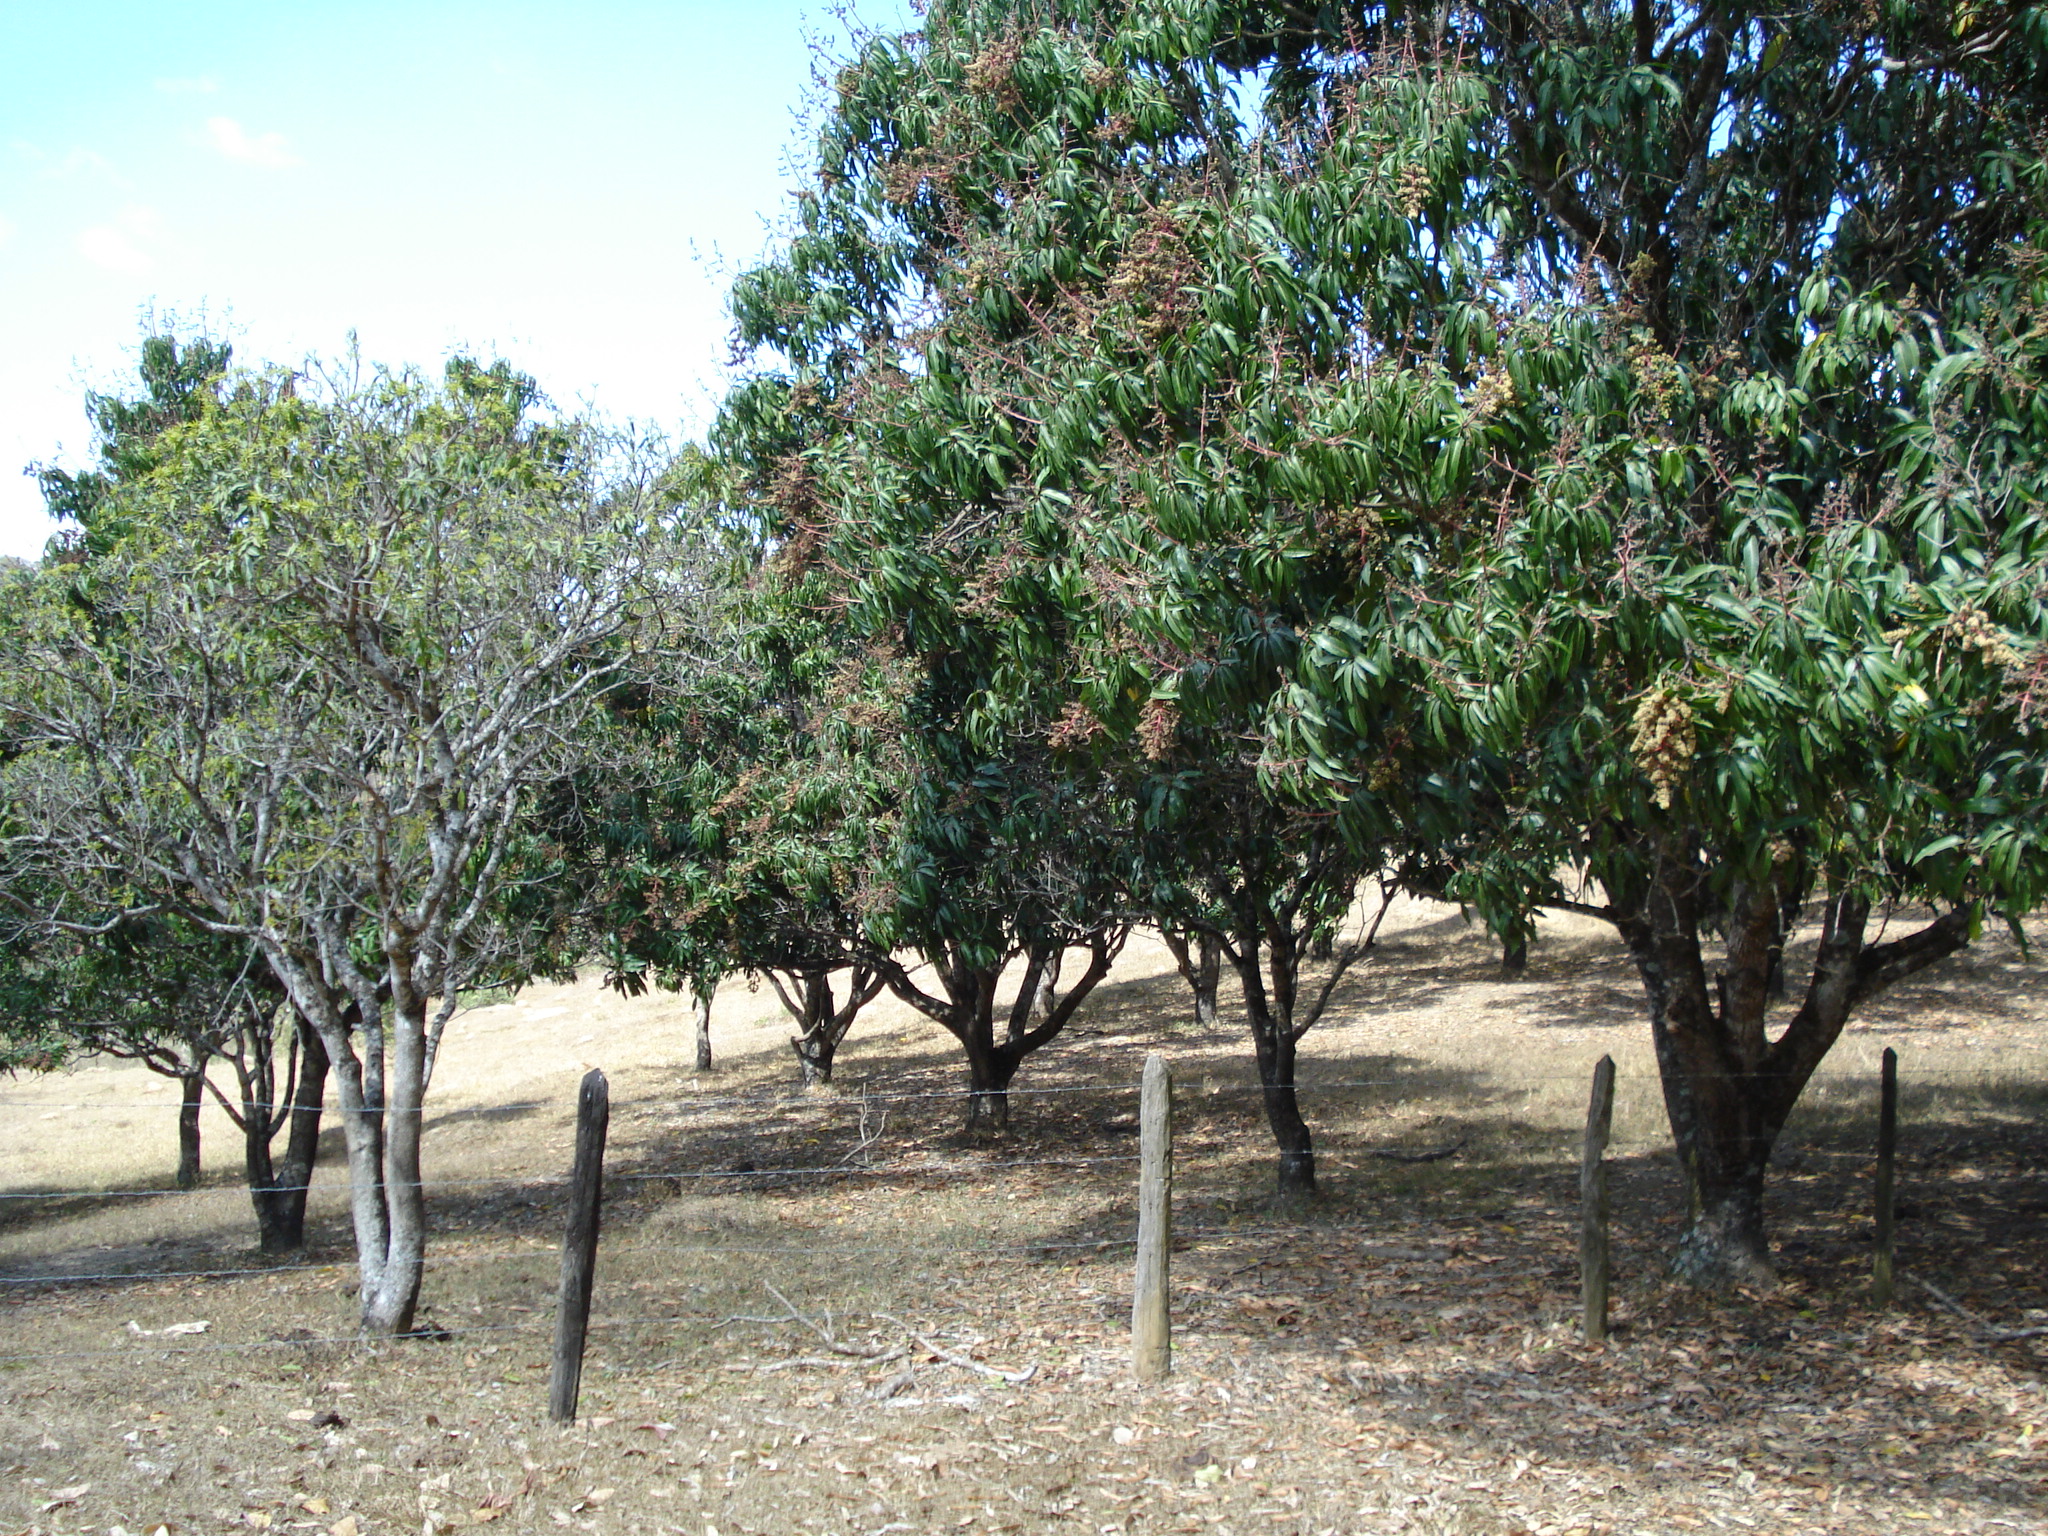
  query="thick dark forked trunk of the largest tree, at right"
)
[{"x": 1727, "y": 1084}]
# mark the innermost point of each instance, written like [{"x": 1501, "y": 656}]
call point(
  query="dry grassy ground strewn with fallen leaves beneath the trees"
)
[{"x": 839, "y": 1314}]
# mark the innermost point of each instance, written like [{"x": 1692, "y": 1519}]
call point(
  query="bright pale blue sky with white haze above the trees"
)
[{"x": 568, "y": 187}]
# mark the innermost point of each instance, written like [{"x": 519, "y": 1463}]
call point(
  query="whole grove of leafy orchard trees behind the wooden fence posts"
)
[{"x": 1193, "y": 458}]
